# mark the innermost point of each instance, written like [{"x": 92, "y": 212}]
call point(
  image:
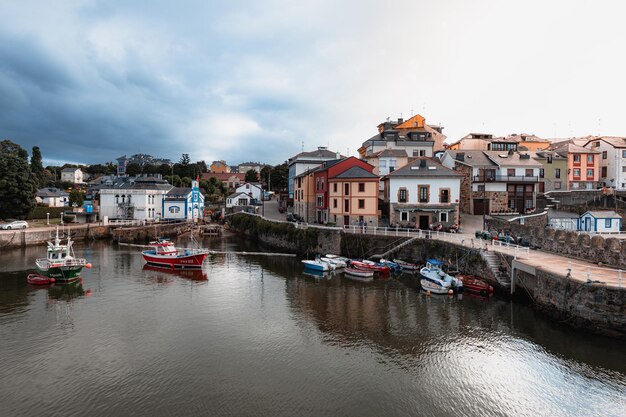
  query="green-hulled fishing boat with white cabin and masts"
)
[{"x": 60, "y": 262}]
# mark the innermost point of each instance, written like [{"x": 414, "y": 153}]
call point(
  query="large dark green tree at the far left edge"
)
[{"x": 18, "y": 185}]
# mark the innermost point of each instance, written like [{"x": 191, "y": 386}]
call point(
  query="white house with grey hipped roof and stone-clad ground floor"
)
[{"x": 422, "y": 193}]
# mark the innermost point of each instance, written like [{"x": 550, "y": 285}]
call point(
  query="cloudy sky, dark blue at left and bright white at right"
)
[{"x": 89, "y": 81}]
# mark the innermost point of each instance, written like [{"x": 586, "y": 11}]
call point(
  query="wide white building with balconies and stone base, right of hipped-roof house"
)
[{"x": 495, "y": 182}]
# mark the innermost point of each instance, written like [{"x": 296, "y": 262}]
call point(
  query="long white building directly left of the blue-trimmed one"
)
[{"x": 134, "y": 199}]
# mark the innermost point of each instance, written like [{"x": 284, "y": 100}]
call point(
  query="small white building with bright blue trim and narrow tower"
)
[{"x": 183, "y": 203}]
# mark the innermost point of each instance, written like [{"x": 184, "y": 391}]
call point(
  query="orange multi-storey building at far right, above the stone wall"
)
[{"x": 583, "y": 165}]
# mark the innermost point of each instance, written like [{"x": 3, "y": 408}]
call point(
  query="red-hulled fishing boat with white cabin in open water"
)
[{"x": 164, "y": 253}]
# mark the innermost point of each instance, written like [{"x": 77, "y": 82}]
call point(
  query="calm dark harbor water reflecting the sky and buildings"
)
[{"x": 255, "y": 336}]
